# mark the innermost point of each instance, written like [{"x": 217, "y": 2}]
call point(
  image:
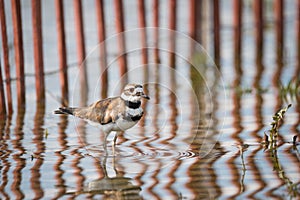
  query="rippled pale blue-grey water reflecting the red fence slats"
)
[{"x": 200, "y": 137}]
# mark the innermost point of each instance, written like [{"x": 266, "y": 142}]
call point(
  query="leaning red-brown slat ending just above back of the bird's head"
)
[{"x": 120, "y": 30}]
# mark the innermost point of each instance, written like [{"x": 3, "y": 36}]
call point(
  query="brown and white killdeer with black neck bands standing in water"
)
[{"x": 113, "y": 114}]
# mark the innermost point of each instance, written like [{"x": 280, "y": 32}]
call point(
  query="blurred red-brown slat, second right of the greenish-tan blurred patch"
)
[{"x": 237, "y": 24}]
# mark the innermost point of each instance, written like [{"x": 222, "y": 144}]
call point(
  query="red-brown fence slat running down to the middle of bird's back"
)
[{"x": 101, "y": 38}]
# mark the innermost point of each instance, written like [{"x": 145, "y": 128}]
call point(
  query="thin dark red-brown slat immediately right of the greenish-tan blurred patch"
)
[{"x": 216, "y": 20}]
